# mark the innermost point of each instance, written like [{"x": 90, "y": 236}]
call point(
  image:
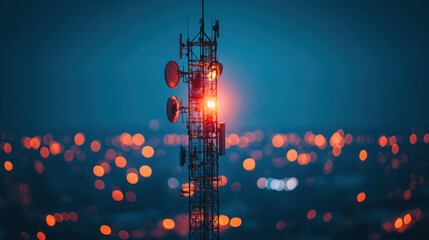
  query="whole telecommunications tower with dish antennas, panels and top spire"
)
[{"x": 206, "y": 135}]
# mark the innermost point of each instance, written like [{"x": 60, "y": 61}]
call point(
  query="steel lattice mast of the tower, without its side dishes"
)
[{"x": 202, "y": 153}]
